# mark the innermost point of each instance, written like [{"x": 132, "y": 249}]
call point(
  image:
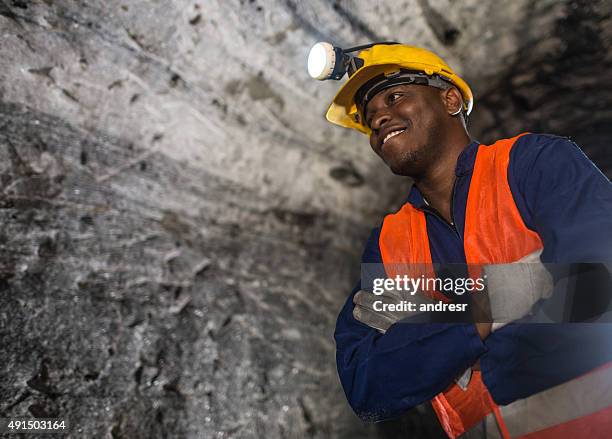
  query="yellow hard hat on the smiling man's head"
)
[{"x": 388, "y": 59}]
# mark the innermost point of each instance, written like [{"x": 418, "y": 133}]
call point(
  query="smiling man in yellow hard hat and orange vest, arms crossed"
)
[{"x": 530, "y": 198}]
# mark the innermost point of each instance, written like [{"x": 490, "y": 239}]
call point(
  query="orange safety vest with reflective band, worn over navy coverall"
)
[{"x": 495, "y": 233}]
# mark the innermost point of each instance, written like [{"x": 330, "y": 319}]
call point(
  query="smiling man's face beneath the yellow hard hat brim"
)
[{"x": 407, "y": 125}]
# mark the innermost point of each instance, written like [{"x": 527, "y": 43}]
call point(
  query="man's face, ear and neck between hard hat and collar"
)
[{"x": 412, "y": 132}]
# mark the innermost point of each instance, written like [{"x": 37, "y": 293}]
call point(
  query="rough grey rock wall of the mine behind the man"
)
[{"x": 180, "y": 225}]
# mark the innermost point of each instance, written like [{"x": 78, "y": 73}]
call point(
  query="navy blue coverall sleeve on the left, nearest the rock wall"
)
[{"x": 384, "y": 375}]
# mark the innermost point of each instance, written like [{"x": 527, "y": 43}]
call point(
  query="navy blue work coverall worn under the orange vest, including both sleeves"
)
[{"x": 563, "y": 197}]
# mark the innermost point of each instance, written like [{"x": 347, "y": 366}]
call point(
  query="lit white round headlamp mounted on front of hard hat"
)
[{"x": 326, "y": 61}]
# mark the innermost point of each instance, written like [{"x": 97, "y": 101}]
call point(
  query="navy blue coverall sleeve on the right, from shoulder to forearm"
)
[{"x": 562, "y": 196}]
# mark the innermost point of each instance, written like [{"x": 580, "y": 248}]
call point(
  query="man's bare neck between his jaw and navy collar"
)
[{"x": 437, "y": 184}]
